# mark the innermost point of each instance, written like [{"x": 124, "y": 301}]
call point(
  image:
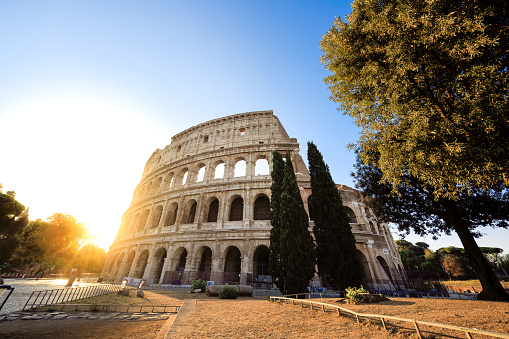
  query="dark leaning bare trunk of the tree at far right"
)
[{"x": 491, "y": 287}]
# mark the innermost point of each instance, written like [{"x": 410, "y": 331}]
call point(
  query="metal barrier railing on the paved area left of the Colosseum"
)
[{"x": 50, "y": 297}]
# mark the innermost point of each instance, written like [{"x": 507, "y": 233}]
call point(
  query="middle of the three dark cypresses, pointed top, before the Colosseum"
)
[{"x": 297, "y": 250}]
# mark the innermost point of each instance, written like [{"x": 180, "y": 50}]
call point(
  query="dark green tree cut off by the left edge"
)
[{"x": 13, "y": 219}]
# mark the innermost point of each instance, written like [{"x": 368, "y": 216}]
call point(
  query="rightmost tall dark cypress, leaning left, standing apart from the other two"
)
[{"x": 335, "y": 242}]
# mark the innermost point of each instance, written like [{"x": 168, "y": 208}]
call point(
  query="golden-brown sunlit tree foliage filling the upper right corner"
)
[{"x": 428, "y": 84}]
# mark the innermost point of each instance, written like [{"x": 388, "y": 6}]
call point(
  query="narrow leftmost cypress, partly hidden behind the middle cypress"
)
[{"x": 275, "y": 267}]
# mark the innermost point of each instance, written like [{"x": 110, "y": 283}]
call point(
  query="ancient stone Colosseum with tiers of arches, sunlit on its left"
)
[{"x": 201, "y": 210}]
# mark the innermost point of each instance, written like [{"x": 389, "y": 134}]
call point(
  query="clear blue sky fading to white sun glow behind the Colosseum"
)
[{"x": 89, "y": 89}]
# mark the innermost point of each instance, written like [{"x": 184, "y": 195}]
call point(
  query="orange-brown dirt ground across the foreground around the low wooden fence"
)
[{"x": 258, "y": 318}]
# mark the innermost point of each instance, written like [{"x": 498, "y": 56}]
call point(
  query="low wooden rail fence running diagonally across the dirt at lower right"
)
[{"x": 383, "y": 318}]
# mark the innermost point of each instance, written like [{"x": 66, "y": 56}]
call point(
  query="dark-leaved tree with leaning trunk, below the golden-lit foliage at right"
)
[{"x": 415, "y": 208}]
